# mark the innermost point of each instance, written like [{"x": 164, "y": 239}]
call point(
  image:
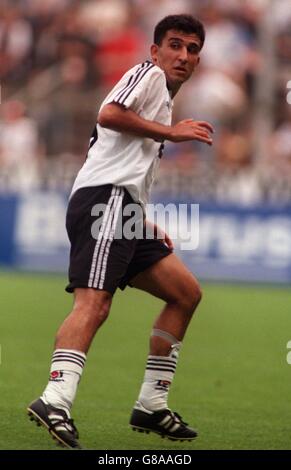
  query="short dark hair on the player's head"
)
[{"x": 185, "y": 23}]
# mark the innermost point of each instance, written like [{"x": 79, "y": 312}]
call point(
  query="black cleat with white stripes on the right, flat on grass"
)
[{"x": 165, "y": 422}]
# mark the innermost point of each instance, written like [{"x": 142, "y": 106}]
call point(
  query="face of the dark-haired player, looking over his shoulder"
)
[{"x": 178, "y": 56}]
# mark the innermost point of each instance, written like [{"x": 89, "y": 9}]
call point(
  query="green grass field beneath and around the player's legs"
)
[{"x": 233, "y": 382}]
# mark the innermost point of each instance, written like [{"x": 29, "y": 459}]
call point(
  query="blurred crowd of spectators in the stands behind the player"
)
[{"x": 58, "y": 59}]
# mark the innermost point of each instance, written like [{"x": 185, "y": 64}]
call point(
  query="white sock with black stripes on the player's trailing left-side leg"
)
[{"x": 65, "y": 374}]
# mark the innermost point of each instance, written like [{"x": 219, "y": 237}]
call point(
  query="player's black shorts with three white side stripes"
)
[{"x": 101, "y": 260}]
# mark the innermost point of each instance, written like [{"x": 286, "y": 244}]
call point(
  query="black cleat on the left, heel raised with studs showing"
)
[{"x": 56, "y": 421}]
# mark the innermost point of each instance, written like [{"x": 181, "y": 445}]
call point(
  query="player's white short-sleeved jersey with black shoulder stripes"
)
[{"x": 121, "y": 158}]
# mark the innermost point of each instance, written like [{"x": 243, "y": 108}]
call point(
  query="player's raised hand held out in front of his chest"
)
[{"x": 192, "y": 130}]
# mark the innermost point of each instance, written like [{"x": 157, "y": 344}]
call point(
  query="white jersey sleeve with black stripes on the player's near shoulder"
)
[{"x": 147, "y": 81}]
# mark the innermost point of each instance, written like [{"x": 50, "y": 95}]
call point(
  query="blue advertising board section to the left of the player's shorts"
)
[{"x": 32, "y": 232}]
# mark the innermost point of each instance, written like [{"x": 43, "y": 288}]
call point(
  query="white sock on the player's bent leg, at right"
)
[{"x": 158, "y": 377}]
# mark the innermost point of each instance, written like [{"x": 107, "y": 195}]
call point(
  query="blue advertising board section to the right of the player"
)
[{"x": 242, "y": 244}]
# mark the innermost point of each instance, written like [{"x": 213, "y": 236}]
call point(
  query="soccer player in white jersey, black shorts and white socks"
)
[{"x": 124, "y": 153}]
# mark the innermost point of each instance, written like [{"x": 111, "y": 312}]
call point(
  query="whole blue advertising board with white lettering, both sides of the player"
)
[{"x": 241, "y": 244}]
